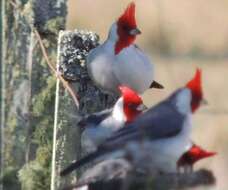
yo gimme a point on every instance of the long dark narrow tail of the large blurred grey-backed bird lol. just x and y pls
(77, 164)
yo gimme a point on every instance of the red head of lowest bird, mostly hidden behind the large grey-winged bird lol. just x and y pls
(191, 156)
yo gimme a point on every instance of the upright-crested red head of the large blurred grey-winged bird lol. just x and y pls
(196, 89)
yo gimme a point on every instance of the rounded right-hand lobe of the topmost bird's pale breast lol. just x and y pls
(134, 69)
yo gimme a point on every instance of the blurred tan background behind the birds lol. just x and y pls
(179, 35)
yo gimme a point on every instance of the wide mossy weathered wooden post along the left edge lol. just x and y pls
(29, 92)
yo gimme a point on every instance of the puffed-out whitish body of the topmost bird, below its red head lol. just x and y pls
(130, 67)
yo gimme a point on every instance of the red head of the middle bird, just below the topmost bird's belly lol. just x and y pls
(132, 103)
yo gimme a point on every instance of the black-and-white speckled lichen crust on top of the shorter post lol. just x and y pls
(75, 47)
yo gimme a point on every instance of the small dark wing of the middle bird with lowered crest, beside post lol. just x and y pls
(94, 119)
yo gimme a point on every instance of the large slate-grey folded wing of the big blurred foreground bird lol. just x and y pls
(161, 121)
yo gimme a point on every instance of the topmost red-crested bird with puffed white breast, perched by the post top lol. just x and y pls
(118, 61)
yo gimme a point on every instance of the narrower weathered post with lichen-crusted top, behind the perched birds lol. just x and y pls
(73, 49)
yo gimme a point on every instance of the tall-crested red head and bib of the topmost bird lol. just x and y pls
(126, 28)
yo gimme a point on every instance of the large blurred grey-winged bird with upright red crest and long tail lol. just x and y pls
(158, 137)
